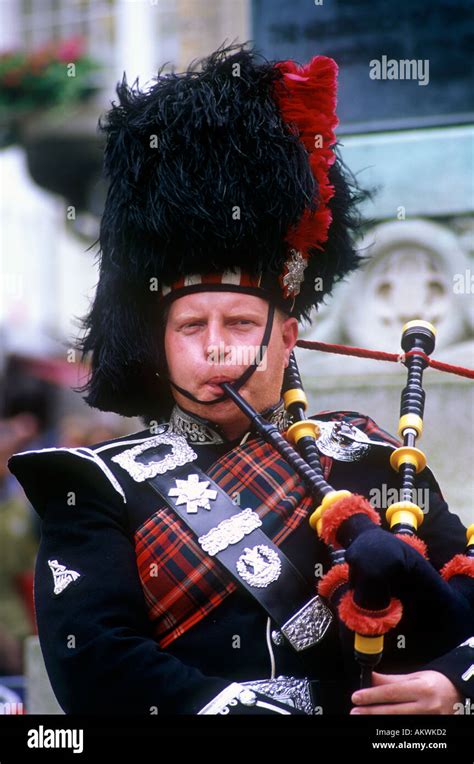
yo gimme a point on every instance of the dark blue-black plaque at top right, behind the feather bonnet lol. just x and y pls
(403, 64)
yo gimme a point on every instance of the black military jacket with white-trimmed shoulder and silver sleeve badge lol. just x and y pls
(94, 618)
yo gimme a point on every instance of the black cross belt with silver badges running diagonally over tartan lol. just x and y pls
(234, 538)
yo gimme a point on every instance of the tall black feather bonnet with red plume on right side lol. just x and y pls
(227, 167)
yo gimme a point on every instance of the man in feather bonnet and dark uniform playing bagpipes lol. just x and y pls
(177, 571)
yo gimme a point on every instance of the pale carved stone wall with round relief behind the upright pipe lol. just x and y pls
(417, 269)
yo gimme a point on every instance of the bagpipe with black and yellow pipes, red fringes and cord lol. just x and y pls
(376, 574)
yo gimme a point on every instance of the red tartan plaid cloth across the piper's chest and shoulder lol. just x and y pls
(181, 583)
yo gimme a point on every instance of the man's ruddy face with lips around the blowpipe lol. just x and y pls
(211, 337)
